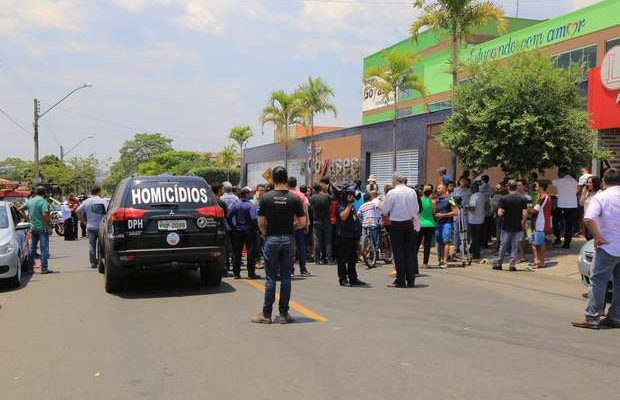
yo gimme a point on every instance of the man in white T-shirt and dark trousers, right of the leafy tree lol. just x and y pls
(566, 187)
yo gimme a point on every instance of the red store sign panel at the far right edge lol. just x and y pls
(603, 103)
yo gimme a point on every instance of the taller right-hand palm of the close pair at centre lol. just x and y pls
(315, 98)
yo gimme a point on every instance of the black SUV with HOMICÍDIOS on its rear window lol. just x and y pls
(161, 223)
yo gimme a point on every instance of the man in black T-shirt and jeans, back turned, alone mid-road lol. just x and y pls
(277, 223)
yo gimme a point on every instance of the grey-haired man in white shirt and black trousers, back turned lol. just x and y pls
(401, 205)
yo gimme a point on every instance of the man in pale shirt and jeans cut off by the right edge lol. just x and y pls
(603, 220)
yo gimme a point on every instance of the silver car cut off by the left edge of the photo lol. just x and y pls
(13, 244)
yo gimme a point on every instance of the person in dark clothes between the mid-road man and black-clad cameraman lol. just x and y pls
(322, 229)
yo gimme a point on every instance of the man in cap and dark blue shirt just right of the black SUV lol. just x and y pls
(242, 214)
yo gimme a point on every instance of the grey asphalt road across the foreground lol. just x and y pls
(463, 334)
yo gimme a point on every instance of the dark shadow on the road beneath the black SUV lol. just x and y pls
(169, 284)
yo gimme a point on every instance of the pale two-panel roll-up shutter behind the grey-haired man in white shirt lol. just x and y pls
(407, 163)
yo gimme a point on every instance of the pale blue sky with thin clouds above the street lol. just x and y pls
(190, 69)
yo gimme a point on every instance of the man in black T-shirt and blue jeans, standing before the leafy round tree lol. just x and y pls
(512, 210)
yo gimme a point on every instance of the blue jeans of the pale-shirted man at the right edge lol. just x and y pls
(604, 268)
